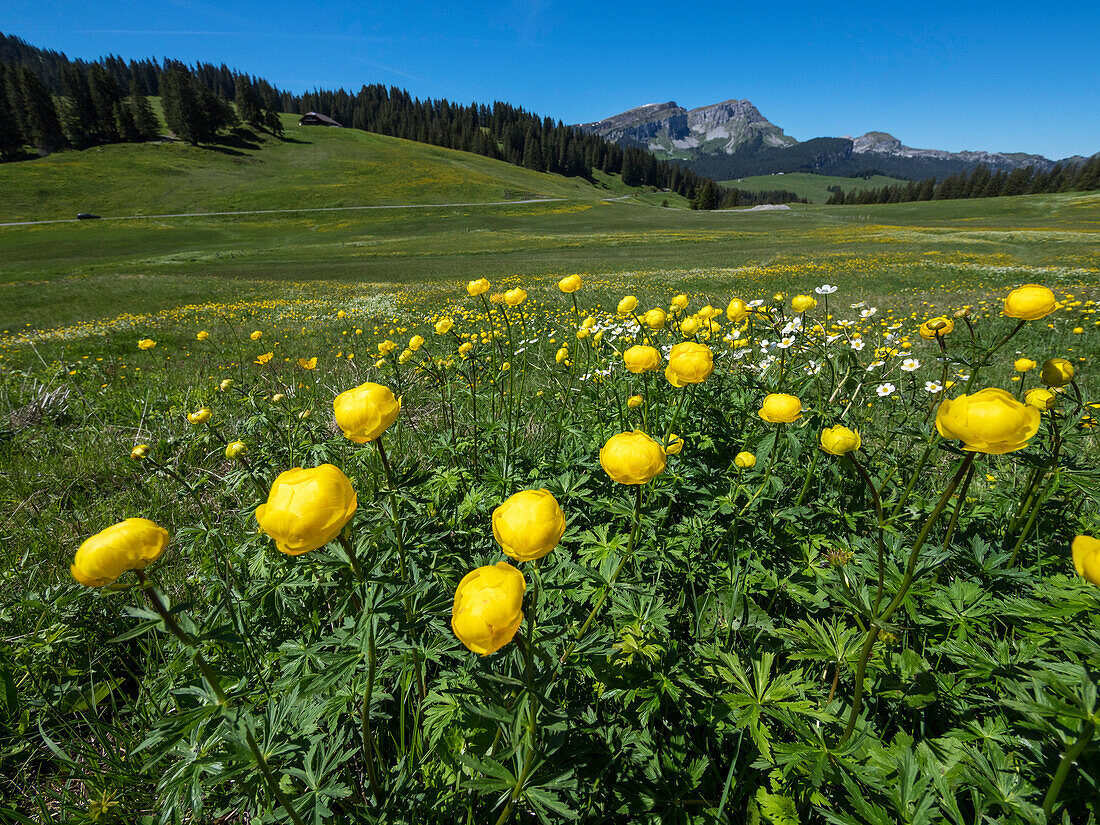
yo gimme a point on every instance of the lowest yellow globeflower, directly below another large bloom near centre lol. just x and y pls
(489, 608)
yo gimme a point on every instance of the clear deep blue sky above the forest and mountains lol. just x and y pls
(1008, 76)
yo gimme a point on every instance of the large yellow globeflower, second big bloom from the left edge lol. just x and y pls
(307, 509)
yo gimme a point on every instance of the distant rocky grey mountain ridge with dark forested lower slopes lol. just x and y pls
(733, 139)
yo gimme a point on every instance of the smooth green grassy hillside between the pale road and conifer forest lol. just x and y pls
(314, 167)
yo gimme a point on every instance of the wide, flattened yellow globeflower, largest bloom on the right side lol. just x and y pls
(989, 422)
